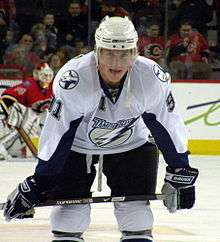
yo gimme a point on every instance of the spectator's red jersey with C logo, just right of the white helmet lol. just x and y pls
(152, 48)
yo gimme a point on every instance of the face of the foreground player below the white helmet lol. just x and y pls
(113, 64)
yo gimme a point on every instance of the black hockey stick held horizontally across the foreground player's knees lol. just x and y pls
(104, 199)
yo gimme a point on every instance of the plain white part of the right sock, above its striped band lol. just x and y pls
(133, 216)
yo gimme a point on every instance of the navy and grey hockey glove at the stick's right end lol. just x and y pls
(178, 188)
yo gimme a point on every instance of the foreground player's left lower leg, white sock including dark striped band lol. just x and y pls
(70, 222)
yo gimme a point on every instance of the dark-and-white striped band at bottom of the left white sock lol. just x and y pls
(59, 236)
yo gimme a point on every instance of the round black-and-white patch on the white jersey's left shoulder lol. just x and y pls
(69, 80)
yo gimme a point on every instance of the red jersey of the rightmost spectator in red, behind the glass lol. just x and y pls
(195, 44)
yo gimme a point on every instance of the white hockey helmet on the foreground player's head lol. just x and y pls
(116, 33)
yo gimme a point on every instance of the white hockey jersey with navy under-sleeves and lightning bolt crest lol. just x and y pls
(84, 119)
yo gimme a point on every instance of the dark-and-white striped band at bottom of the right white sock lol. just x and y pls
(137, 236)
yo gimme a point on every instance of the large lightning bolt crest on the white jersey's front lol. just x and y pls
(107, 135)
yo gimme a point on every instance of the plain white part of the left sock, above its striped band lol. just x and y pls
(71, 219)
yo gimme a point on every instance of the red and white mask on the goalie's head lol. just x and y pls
(44, 74)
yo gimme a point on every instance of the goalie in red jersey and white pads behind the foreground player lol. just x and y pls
(23, 106)
